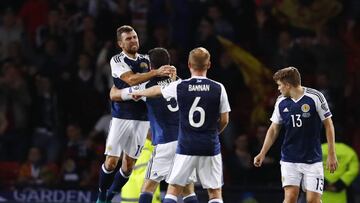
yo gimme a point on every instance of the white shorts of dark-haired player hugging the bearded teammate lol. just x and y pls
(161, 161)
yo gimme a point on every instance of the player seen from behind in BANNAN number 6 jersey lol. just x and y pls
(204, 113)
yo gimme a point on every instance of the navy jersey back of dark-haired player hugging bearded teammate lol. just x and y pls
(163, 115)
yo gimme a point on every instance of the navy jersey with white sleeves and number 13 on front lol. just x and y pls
(302, 123)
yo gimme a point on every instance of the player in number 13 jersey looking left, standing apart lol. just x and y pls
(301, 111)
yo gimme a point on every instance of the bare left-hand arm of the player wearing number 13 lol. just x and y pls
(271, 135)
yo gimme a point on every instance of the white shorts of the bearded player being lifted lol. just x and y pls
(126, 135)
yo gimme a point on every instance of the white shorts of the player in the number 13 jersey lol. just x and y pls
(309, 176)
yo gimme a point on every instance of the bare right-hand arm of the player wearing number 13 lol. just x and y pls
(331, 162)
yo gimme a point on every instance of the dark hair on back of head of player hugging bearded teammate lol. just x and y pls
(158, 57)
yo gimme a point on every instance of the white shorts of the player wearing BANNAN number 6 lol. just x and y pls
(208, 169)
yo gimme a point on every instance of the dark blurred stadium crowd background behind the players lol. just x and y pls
(55, 79)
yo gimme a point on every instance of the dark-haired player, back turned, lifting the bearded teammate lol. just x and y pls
(164, 121)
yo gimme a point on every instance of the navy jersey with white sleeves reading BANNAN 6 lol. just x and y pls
(200, 101)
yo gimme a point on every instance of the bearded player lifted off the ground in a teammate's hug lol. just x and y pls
(129, 125)
